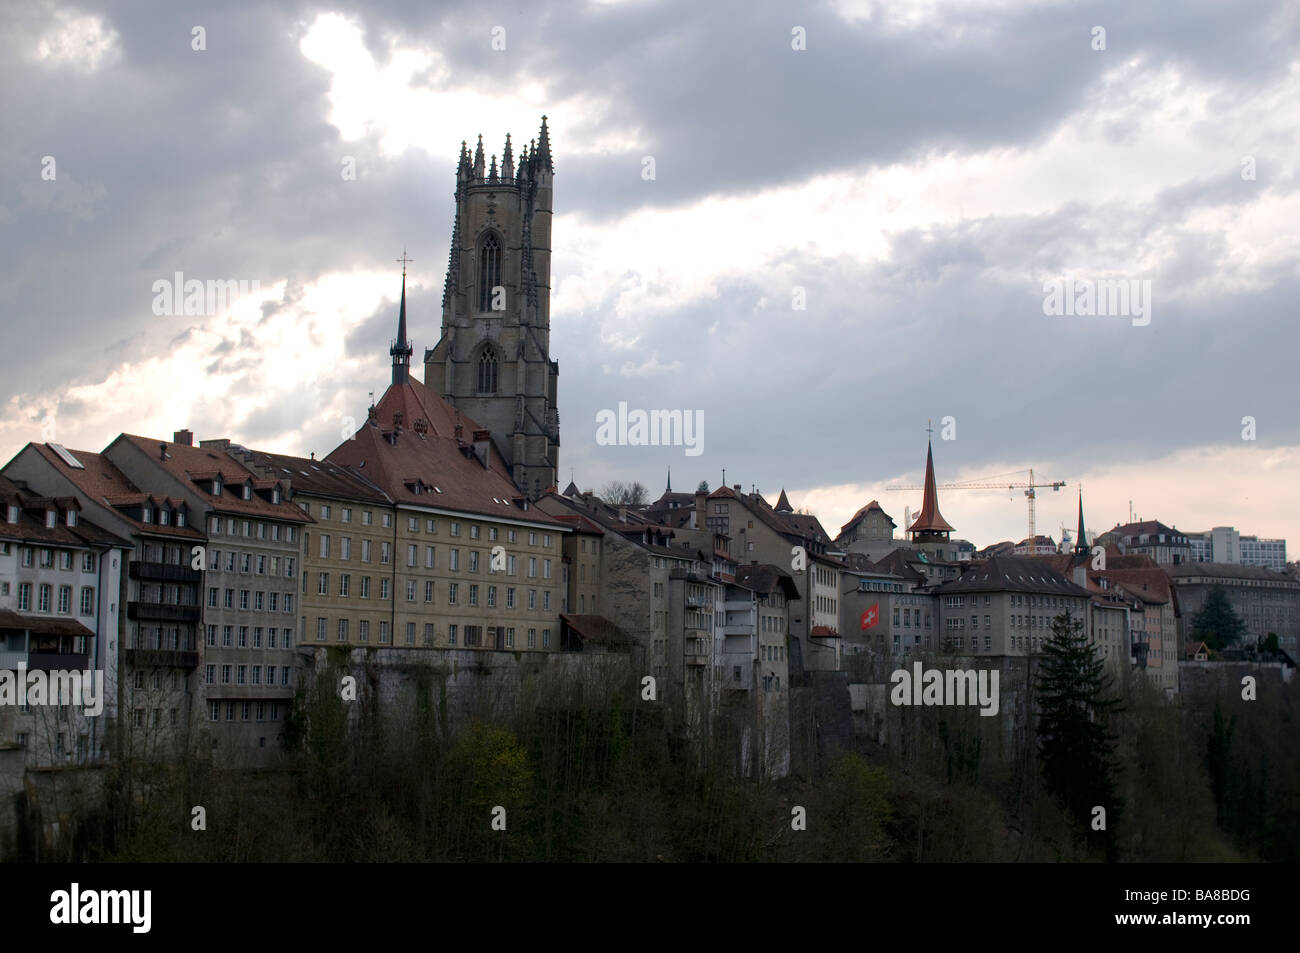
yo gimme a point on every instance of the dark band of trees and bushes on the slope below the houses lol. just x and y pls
(613, 785)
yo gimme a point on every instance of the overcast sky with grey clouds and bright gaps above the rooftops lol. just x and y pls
(918, 171)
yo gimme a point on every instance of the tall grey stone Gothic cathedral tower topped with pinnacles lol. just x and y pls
(493, 359)
